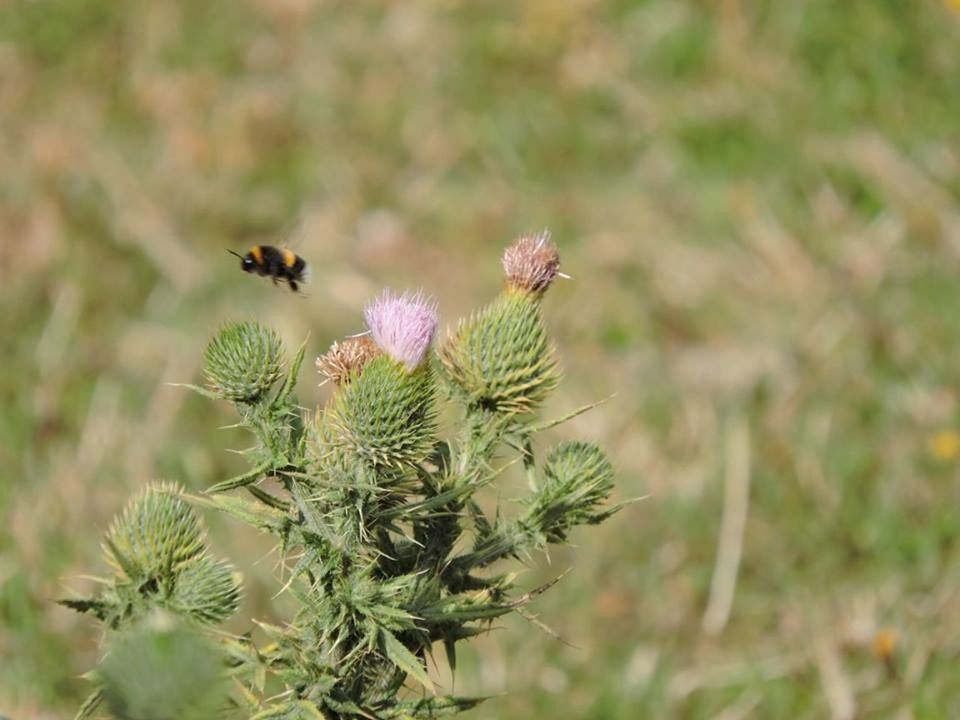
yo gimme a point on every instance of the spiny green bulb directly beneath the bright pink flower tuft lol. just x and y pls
(386, 415)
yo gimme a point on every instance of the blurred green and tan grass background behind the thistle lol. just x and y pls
(759, 203)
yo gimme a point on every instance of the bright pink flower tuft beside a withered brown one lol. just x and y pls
(402, 325)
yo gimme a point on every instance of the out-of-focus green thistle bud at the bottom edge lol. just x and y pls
(163, 671)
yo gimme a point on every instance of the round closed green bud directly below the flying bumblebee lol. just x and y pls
(243, 361)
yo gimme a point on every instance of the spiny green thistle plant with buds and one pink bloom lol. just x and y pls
(384, 543)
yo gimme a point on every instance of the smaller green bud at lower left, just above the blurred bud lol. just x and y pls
(206, 590)
